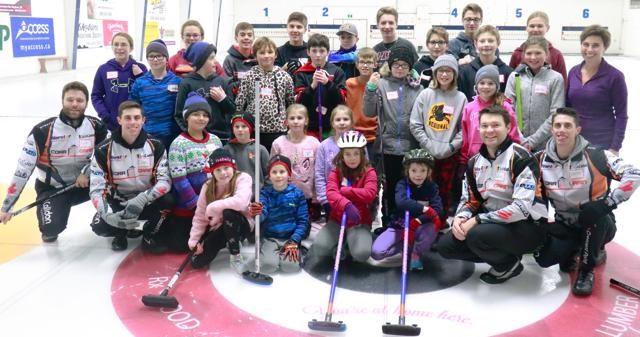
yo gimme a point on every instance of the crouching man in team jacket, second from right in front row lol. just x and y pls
(501, 206)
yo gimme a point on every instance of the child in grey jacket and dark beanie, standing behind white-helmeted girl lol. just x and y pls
(391, 99)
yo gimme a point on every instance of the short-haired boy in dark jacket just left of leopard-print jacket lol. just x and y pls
(239, 56)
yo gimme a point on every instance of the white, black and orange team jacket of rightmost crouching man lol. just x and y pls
(582, 177)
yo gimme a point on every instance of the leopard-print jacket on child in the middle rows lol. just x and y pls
(276, 94)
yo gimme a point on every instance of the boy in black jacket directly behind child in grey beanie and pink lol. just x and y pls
(487, 41)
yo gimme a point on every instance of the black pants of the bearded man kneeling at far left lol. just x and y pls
(53, 213)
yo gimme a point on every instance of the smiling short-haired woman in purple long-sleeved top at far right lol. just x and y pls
(598, 91)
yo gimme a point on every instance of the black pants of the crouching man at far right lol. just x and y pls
(564, 242)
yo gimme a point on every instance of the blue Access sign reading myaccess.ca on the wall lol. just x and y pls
(32, 36)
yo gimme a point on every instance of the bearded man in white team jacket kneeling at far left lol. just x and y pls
(60, 148)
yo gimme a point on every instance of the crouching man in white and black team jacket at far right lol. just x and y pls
(576, 178)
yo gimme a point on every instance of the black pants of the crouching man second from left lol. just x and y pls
(153, 213)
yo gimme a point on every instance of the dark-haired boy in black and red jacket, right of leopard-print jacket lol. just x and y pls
(316, 75)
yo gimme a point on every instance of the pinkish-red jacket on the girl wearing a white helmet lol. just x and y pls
(361, 193)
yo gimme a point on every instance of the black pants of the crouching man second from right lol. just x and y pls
(499, 245)
